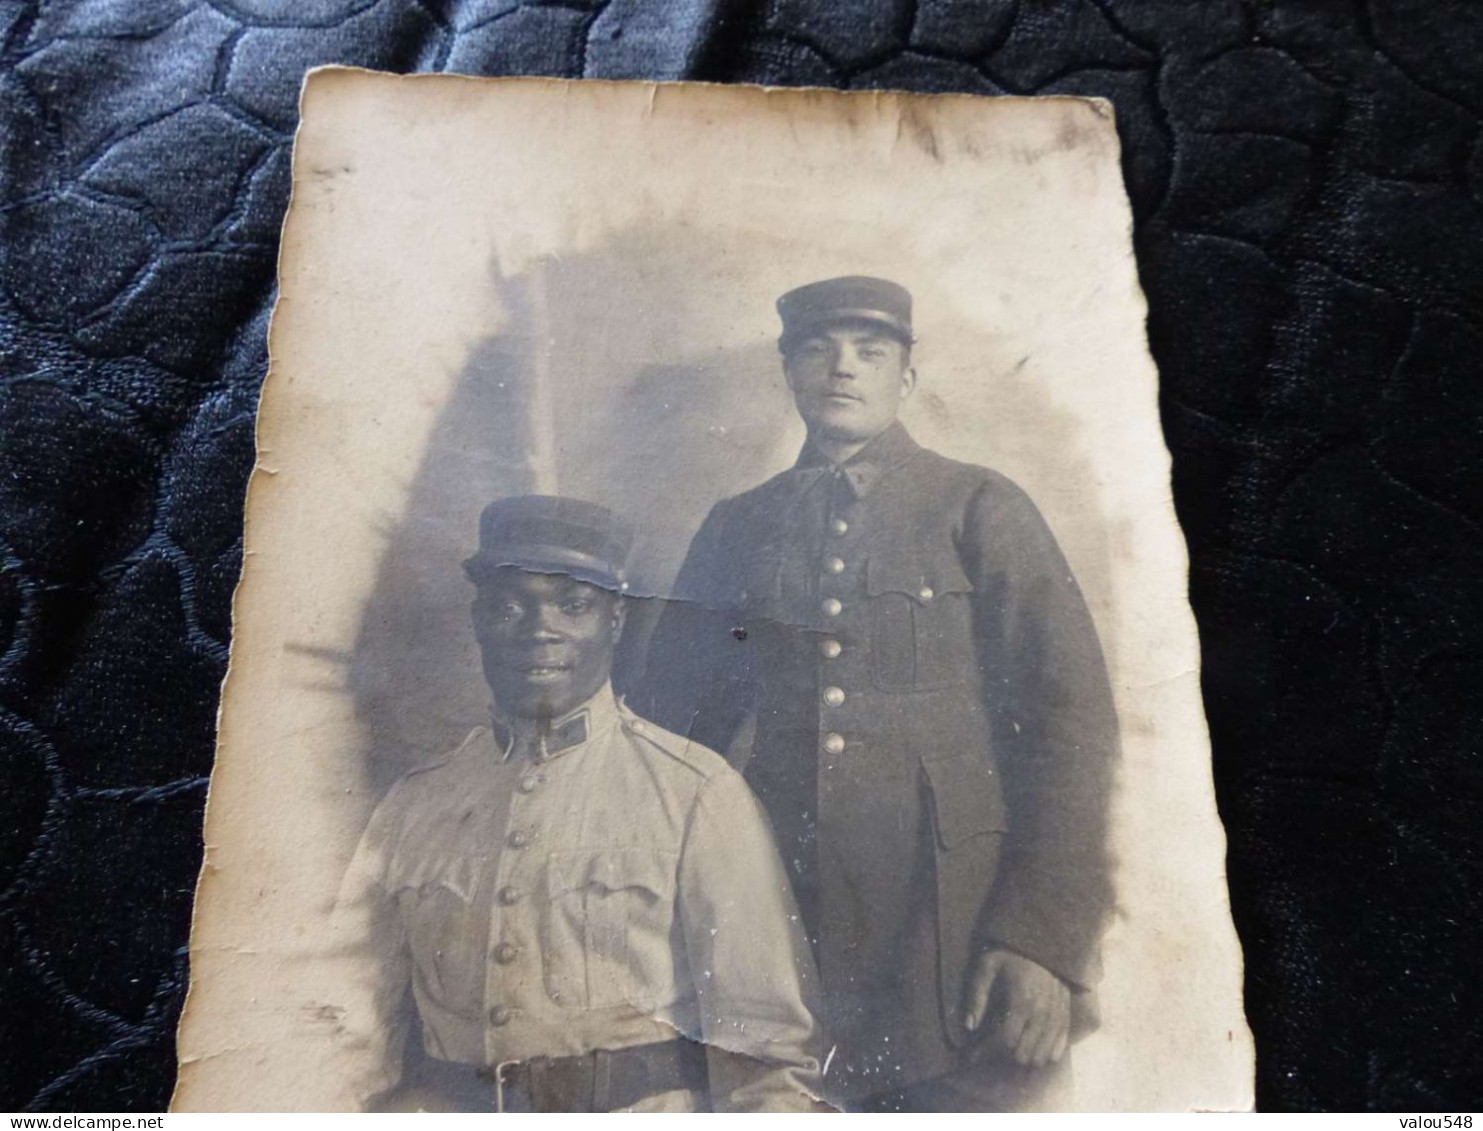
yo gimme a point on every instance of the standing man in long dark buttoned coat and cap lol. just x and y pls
(932, 729)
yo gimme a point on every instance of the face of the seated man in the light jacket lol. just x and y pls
(546, 641)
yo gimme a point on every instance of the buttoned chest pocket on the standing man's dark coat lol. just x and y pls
(922, 620)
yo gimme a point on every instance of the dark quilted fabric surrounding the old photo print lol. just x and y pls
(1307, 179)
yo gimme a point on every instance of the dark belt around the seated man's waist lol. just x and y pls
(607, 1080)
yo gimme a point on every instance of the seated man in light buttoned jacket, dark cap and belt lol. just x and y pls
(576, 898)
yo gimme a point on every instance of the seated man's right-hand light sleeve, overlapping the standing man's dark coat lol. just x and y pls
(753, 966)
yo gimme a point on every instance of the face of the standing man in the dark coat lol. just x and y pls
(849, 382)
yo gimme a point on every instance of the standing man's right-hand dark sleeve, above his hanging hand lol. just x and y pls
(1057, 736)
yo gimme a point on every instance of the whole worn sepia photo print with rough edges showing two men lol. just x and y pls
(714, 631)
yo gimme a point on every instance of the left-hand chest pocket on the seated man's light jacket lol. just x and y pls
(446, 930)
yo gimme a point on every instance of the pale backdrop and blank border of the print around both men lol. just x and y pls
(502, 287)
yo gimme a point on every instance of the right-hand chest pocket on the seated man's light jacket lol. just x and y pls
(607, 929)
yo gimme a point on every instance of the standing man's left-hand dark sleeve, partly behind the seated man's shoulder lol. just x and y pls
(698, 681)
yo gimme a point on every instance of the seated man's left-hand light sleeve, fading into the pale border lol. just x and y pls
(371, 967)
